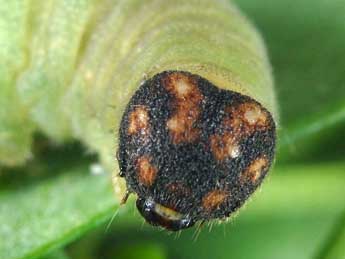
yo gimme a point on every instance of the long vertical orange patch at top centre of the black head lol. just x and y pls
(186, 105)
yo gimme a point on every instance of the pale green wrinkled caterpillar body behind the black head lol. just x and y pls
(69, 67)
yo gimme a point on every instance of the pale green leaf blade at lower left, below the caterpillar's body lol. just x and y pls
(58, 201)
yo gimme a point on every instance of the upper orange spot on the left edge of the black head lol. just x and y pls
(139, 121)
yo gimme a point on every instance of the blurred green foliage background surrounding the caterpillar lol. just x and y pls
(57, 209)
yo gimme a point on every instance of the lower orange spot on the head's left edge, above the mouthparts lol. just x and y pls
(147, 172)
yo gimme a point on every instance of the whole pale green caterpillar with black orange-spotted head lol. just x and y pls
(182, 90)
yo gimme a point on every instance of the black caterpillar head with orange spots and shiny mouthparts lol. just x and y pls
(191, 151)
